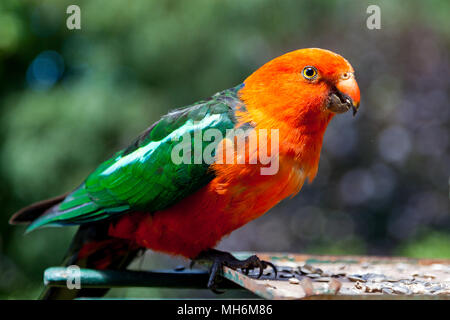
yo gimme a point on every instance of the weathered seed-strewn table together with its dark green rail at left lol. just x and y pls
(299, 277)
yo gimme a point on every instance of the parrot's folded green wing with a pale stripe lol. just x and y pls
(143, 176)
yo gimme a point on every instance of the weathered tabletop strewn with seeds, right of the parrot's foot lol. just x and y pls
(347, 277)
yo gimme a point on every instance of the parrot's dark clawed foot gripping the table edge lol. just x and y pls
(220, 259)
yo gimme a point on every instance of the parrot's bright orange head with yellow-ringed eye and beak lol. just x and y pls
(300, 86)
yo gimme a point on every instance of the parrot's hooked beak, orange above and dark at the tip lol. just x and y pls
(345, 97)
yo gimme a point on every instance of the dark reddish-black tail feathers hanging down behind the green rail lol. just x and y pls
(92, 248)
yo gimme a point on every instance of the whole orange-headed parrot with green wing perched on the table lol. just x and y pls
(141, 199)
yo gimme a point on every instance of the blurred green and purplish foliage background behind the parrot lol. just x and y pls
(69, 99)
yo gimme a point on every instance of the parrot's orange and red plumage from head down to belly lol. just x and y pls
(280, 96)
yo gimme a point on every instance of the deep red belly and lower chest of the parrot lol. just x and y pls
(199, 221)
